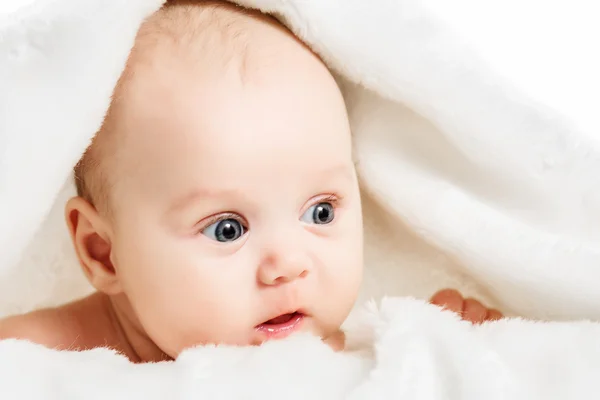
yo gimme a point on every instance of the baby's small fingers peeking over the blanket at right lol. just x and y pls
(469, 309)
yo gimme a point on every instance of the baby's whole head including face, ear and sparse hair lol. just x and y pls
(220, 192)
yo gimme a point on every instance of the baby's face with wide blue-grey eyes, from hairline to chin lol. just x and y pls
(236, 202)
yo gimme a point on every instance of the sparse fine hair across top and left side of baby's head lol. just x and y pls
(214, 35)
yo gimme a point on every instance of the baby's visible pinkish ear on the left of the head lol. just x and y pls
(91, 238)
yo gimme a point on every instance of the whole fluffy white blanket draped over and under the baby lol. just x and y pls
(478, 144)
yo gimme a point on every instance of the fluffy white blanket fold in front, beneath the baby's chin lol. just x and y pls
(419, 353)
